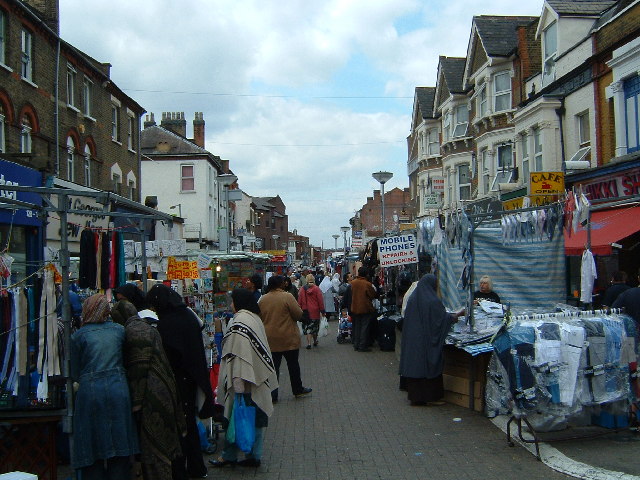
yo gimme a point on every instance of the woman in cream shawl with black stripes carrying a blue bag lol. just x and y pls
(246, 368)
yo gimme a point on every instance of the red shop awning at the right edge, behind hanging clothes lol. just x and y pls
(607, 227)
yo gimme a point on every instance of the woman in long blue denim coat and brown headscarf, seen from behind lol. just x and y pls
(102, 398)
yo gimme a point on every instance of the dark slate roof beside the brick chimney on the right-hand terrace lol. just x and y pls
(498, 33)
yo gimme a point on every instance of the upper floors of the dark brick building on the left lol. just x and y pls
(78, 127)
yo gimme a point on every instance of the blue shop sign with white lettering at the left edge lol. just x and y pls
(13, 174)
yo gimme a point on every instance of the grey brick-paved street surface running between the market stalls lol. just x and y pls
(358, 425)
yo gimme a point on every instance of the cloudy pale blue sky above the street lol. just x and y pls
(305, 99)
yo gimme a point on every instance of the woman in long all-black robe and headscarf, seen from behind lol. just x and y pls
(182, 342)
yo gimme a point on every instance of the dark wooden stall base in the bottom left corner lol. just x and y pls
(28, 442)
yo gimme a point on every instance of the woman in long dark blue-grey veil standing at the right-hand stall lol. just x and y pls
(424, 329)
